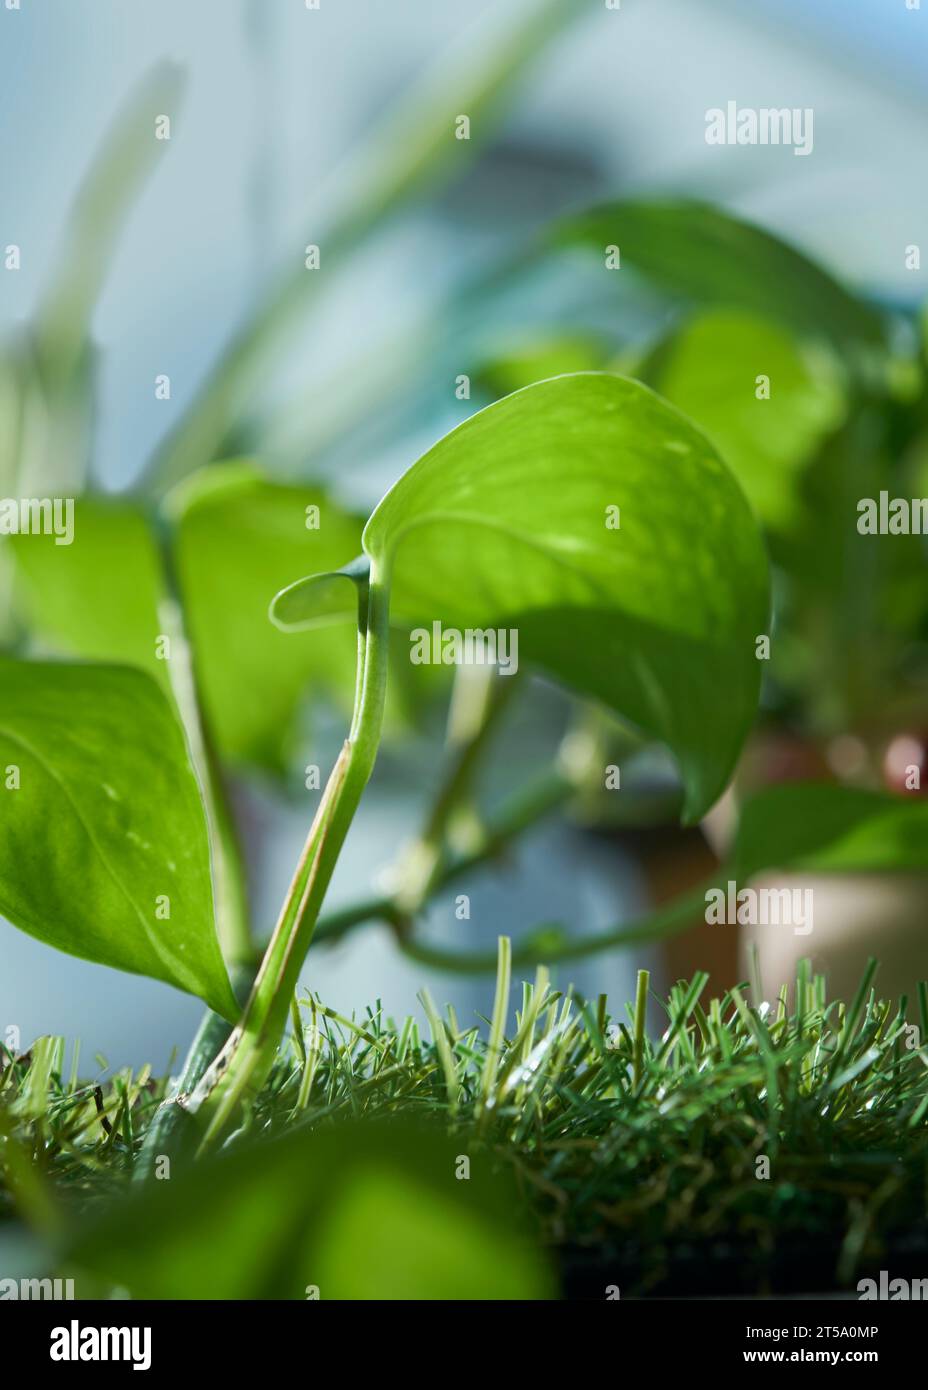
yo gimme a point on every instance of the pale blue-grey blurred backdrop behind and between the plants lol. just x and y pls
(277, 99)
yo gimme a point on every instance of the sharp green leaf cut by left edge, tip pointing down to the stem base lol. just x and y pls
(103, 843)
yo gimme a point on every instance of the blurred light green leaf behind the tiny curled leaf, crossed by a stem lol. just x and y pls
(238, 540)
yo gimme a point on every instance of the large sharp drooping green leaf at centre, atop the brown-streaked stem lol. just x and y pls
(599, 526)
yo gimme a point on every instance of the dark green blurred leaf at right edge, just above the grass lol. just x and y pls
(823, 828)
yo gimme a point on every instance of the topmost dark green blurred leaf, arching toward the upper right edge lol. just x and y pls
(709, 256)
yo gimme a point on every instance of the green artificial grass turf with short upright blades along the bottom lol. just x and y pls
(744, 1149)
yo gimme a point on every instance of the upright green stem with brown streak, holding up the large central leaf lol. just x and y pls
(244, 1065)
